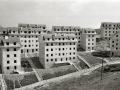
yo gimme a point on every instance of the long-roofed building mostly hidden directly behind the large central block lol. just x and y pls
(76, 30)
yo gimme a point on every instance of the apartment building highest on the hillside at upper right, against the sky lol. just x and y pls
(108, 29)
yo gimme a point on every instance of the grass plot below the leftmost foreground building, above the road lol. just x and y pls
(16, 81)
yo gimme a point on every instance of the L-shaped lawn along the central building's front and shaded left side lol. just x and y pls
(56, 71)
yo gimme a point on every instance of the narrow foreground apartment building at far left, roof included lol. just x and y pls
(10, 59)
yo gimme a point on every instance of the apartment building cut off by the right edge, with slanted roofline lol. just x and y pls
(115, 44)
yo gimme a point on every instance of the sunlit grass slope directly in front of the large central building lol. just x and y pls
(56, 72)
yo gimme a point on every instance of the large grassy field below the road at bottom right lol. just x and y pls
(110, 81)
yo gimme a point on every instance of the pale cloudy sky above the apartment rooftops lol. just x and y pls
(83, 13)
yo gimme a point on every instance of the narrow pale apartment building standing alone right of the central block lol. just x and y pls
(88, 37)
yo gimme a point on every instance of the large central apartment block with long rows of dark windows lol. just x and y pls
(57, 49)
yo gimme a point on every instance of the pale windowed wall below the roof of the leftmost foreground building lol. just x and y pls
(11, 59)
